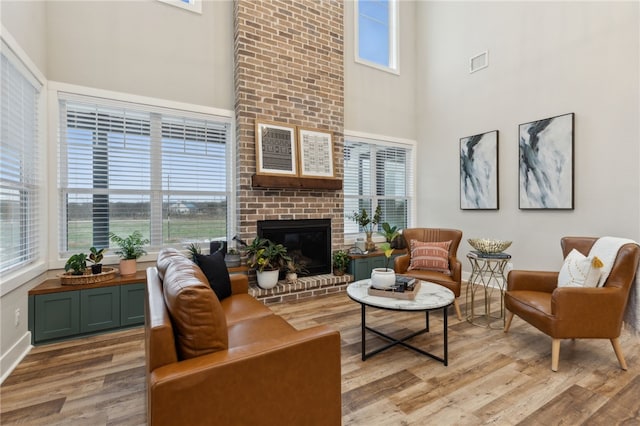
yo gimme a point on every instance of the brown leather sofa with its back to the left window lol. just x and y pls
(232, 362)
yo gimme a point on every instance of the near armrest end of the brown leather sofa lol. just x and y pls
(293, 379)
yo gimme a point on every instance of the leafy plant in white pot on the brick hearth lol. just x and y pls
(266, 258)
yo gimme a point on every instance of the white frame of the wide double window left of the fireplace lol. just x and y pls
(153, 105)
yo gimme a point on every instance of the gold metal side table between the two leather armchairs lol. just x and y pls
(487, 275)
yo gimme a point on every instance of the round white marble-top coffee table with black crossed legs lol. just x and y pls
(430, 297)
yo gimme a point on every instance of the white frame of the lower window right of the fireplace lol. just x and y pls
(384, 142)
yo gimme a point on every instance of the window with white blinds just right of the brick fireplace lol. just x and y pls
(377, 174)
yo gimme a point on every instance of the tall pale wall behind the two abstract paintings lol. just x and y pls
(546, 59)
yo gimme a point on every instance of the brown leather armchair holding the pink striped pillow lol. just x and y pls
(453, 281)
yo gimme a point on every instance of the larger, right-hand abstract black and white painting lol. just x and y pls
(546, 163)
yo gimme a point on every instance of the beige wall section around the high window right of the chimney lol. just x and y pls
(377, 102)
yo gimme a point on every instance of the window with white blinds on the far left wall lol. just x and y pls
(20, 181)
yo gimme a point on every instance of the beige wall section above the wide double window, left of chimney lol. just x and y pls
(146, 48)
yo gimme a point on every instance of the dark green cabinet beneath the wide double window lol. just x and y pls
(72, 312)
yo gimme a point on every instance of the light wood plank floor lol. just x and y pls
(492, 377)
